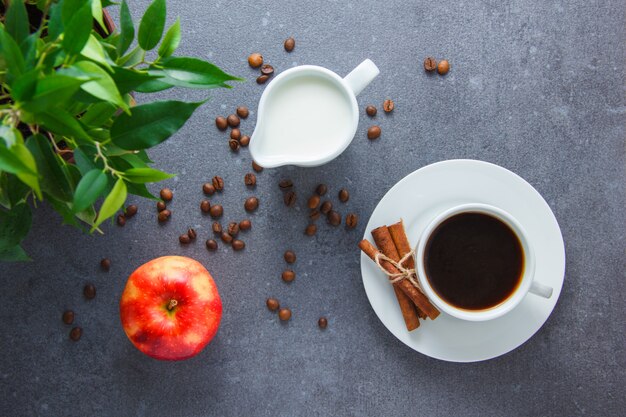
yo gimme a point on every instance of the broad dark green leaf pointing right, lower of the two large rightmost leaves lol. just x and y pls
(150, 124)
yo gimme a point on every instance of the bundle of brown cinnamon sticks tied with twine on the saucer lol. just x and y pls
(393, 242)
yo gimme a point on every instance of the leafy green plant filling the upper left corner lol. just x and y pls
(68, 131)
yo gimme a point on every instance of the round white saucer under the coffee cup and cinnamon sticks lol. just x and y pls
(417, 198)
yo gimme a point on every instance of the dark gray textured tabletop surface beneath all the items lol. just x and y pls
(537, 87)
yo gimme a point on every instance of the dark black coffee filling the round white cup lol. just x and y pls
(474, 261)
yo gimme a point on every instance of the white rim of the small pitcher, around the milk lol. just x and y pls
(280, 160)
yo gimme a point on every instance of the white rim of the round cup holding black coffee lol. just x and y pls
(505, 306)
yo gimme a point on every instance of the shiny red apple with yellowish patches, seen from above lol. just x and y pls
(170, 308)
